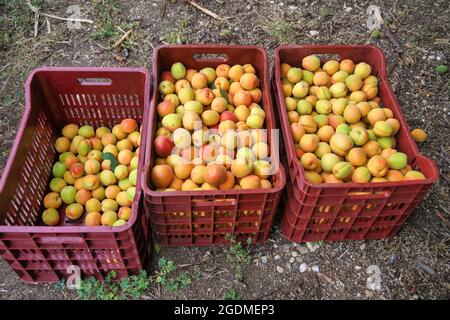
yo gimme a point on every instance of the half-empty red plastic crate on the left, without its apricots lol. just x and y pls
(55, 97)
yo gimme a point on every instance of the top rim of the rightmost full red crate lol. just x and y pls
(277, 94)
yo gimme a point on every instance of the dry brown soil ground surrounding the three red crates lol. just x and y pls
(412, 265)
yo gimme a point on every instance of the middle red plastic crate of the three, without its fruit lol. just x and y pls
(191, 218)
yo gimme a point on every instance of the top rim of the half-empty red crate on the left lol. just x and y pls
(19, 135)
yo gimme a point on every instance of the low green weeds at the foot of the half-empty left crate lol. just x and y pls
(129, 288)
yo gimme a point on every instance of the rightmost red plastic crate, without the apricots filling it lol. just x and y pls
(345, 211)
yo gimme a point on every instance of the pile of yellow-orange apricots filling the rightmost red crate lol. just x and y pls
(341, 131)
